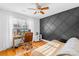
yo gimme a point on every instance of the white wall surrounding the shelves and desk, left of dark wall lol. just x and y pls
(6, 40)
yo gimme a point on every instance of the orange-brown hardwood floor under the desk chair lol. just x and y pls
(22, 52)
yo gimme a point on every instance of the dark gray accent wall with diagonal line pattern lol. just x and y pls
(61, 26)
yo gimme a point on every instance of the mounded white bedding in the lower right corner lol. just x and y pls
(70, 48)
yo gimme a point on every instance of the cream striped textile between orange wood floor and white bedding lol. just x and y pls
(48, 49)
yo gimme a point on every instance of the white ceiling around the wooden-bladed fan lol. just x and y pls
(23, 8)
